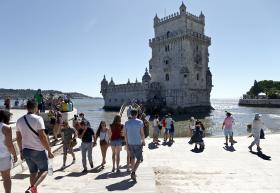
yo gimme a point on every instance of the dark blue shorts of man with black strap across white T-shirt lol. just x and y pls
(36, 160)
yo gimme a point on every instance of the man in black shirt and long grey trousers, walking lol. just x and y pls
(87, 135)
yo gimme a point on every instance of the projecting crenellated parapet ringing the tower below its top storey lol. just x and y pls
(174, 35)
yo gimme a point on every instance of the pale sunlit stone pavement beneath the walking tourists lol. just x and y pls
(174, 169)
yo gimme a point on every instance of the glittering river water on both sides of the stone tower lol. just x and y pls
(243, 115)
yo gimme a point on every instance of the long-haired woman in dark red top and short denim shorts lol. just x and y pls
(116, 129)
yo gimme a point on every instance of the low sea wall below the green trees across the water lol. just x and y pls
(273, 103)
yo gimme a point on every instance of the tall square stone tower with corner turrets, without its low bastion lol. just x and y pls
(180, 59)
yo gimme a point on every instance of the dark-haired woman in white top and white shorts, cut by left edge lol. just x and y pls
(6, 149)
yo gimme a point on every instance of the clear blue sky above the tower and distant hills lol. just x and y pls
(69, 45)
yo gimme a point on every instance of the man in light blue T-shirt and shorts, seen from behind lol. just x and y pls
(135, 140)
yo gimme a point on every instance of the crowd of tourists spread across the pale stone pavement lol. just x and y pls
(35, 148)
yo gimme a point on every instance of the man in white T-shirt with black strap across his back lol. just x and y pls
(33, 144)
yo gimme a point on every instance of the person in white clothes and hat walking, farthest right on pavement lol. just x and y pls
(256, 130)
